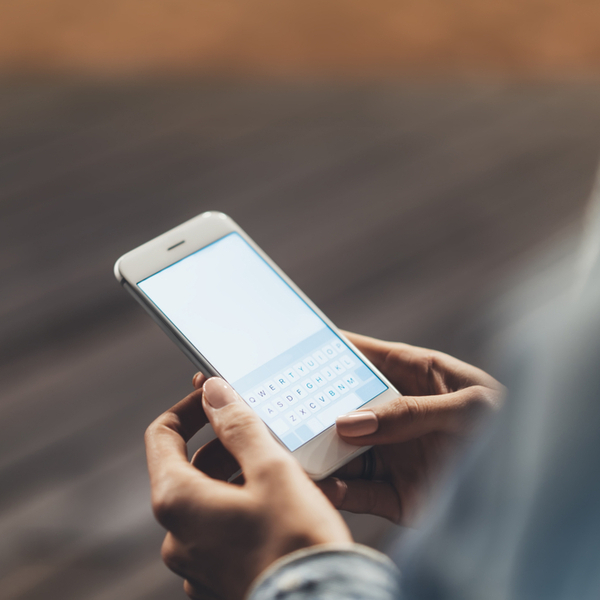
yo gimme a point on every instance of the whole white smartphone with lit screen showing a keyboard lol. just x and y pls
(236, 315)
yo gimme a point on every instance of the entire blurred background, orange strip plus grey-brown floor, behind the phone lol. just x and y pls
(417, 167)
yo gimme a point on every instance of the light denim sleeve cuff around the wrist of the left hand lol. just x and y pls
(350, 572)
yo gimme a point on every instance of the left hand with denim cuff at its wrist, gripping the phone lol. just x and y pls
(220, 535)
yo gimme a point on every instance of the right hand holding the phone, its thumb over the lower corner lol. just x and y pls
(413, 436)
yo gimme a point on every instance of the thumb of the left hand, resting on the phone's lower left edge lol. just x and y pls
(239, 428)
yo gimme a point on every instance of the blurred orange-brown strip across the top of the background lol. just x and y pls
(548, 40)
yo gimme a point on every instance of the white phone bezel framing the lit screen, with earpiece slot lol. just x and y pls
(320, 456)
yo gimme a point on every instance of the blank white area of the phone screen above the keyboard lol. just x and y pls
(232, 306)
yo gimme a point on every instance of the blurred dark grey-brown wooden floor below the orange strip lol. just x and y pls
(401, 210)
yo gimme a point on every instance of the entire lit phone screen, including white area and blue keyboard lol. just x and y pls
(255, 330)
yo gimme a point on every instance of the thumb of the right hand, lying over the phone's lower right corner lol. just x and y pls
(409, 417)
